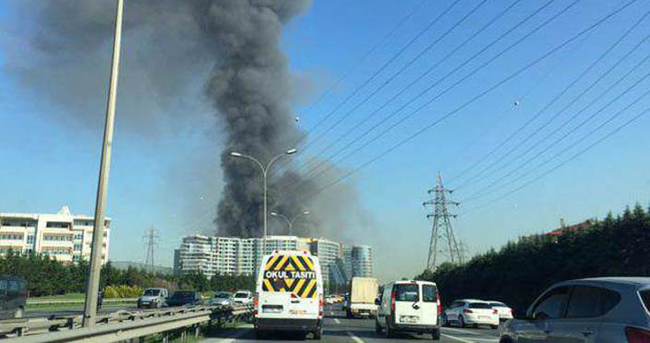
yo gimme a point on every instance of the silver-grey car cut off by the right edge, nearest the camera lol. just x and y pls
(608, 309)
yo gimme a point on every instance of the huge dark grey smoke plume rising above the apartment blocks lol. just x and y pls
(184, 61)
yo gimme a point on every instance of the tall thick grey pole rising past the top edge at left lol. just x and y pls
(96, 257)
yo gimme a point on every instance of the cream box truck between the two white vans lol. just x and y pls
(363, 292)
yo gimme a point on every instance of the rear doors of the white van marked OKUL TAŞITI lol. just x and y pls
(289, 287)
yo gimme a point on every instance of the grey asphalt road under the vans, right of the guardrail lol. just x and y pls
(340, 329)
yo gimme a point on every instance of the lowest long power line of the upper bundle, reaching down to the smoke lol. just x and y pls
(478, 96)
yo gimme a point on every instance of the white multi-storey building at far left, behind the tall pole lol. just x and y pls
(64, 236)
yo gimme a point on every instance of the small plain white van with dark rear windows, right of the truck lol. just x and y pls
(409, 306)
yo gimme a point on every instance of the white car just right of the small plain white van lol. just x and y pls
(471, 312)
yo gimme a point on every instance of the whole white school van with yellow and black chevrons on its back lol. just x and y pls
(289, 294)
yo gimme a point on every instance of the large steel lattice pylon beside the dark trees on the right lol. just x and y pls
(442, 231)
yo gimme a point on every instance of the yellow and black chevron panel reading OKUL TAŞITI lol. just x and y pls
(294, 274)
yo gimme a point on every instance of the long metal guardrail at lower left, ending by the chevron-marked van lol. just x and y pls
(121, 325)
